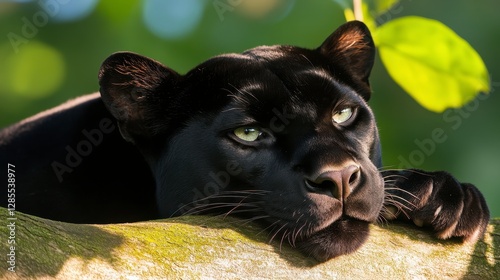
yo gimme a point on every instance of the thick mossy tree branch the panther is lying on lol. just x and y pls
(201, 247)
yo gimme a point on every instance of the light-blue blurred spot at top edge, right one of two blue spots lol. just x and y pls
(172, 19)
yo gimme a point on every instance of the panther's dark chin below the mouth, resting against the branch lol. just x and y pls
(342, 237)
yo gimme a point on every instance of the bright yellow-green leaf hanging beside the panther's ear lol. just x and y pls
(432, 63)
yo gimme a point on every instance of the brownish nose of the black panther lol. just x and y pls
(336, 183)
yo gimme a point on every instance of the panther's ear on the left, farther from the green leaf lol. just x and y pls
(133, 88)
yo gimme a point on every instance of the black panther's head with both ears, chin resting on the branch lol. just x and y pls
(280, 134)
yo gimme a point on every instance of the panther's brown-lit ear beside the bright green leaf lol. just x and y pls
(352, 45)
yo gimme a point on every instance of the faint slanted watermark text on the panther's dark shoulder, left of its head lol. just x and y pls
(75, 155)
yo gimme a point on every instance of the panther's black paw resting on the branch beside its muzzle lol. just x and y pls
(436, 200)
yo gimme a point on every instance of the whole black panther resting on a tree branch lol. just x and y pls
(279, 135)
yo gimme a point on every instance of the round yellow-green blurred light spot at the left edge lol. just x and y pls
(36, 71)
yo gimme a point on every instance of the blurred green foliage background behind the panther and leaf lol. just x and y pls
(48, 56)
